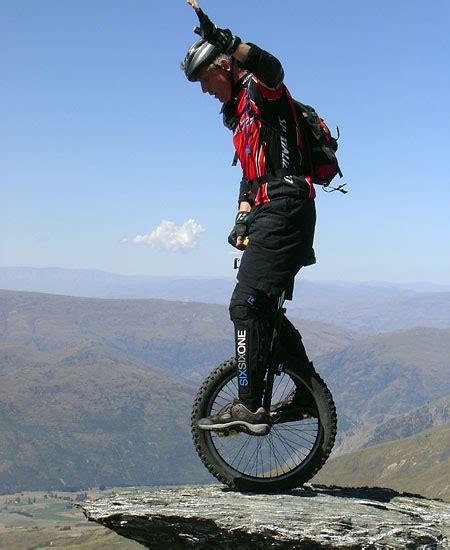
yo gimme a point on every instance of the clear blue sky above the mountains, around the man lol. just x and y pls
(103, 138)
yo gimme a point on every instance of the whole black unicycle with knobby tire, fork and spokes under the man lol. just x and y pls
(297, 444)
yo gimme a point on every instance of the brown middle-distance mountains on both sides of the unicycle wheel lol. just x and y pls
(99, 391)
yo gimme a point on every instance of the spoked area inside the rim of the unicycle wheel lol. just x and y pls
(287, 447)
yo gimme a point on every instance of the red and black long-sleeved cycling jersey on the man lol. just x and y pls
(265, 136)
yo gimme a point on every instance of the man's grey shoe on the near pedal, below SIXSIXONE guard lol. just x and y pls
(236, 415)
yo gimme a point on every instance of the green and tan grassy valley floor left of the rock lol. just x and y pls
(34, 520)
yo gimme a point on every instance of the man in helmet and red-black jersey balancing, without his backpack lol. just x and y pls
(276, 208)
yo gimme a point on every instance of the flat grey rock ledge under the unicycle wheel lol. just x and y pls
(211, 516)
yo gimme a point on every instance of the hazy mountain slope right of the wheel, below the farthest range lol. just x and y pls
(380, 375)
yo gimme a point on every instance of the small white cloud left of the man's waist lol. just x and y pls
(169, 236)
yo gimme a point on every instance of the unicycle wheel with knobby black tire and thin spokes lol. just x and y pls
(255, 467)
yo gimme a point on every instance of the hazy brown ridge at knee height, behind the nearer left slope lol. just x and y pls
(186, 339)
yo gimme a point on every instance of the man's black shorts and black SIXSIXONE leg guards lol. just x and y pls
(281, 236)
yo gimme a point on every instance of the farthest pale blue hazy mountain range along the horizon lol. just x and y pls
(372, 307)
